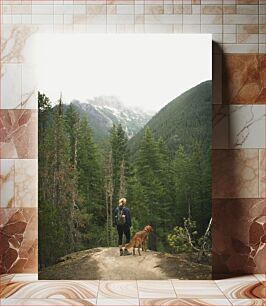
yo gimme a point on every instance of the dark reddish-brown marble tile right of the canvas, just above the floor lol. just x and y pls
(239, 236)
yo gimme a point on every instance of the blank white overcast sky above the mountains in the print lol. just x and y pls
(142, 70)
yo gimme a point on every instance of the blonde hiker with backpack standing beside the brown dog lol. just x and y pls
(123, 223)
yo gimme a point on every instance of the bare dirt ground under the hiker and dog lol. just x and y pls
(105, 263)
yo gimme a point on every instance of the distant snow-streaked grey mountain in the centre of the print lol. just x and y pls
(104, 111)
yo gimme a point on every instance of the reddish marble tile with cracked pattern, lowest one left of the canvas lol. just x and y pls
(18, 235)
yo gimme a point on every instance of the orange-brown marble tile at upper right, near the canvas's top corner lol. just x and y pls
(243, 79)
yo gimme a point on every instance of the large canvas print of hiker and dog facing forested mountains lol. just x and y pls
(124, 156)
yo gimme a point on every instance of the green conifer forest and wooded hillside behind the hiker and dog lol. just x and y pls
(166, 179)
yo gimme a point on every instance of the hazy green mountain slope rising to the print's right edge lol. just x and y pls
(186, 118)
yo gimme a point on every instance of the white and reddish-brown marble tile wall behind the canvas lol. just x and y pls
(238, 28)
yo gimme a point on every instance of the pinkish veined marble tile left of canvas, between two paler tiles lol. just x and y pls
(18, 134)
